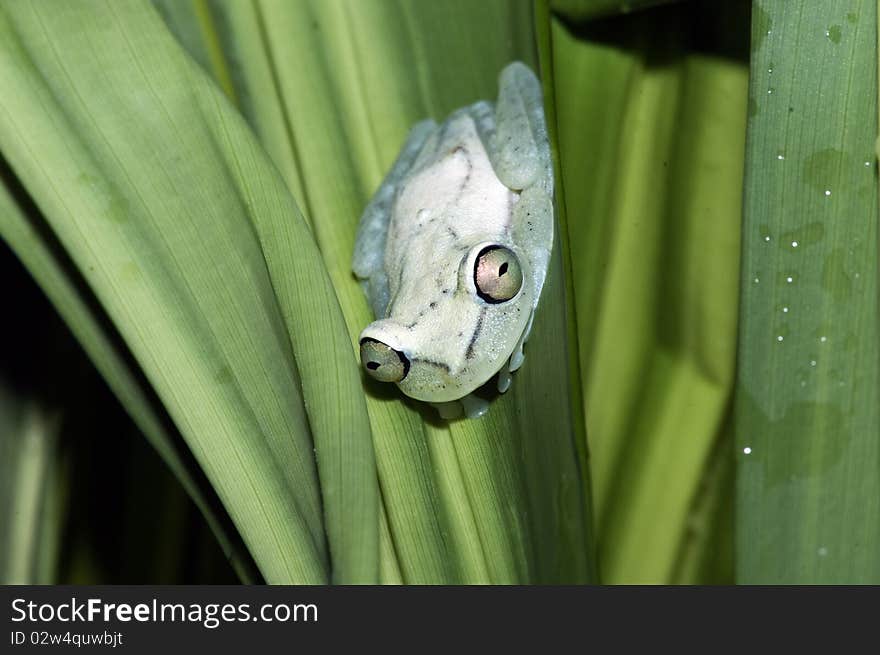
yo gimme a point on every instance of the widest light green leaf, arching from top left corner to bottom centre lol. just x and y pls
(141, 162)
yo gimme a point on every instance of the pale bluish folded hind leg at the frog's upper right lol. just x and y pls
(516, 133)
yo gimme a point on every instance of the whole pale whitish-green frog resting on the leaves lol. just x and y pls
(453, 248)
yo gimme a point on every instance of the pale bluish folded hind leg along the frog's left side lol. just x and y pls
(369, 249)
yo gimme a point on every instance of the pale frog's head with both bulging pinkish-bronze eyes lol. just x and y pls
(462, 331)
